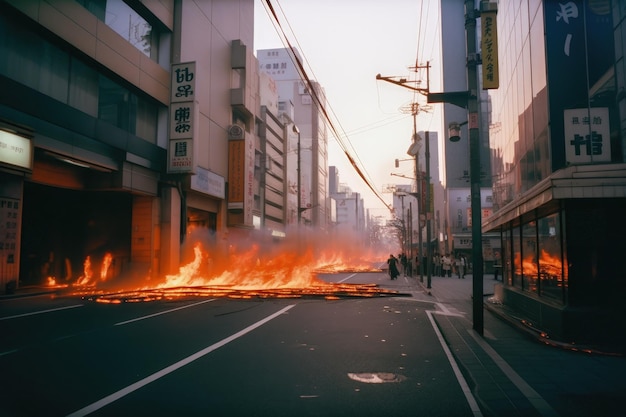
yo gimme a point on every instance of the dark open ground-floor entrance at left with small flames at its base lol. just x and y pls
(62, 229)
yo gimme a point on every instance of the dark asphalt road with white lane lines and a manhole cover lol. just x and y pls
(381, 356)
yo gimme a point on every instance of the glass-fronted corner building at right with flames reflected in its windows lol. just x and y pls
(559, 174)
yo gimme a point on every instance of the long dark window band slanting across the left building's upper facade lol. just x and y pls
(42, 65)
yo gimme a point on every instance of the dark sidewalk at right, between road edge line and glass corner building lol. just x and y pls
(512, 372)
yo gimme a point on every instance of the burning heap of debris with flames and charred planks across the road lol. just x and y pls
(283, 271)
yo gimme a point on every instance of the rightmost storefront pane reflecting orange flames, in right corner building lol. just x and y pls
(552, 284)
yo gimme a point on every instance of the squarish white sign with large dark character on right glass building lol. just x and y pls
(587, 135)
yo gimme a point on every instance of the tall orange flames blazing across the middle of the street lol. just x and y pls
(276, 268)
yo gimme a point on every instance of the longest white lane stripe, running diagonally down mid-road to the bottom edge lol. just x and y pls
(165, 371)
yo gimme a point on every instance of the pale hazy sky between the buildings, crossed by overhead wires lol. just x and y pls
(344, 44)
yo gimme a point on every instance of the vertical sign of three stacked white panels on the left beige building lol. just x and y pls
(182, 119)
